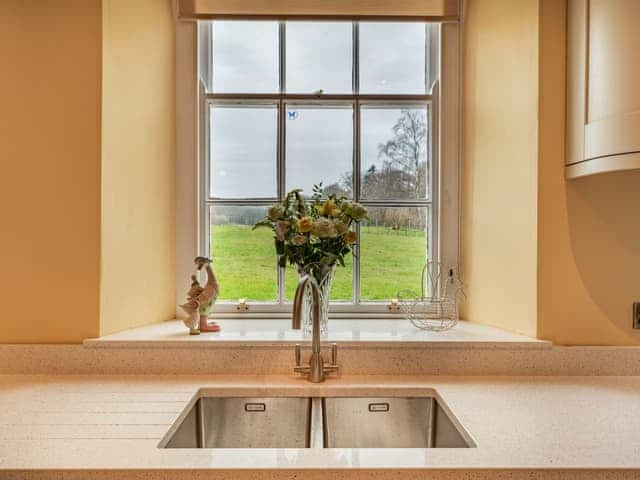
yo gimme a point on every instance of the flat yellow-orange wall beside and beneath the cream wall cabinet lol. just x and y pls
(589, 229)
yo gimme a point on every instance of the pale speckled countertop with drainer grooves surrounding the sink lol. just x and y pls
(93, 423)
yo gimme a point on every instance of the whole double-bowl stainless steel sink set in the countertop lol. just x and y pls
(328, 422)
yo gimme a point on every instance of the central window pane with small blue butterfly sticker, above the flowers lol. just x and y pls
(319, 148)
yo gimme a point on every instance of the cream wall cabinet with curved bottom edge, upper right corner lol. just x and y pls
(603, 86)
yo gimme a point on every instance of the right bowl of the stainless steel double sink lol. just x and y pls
(389, 423)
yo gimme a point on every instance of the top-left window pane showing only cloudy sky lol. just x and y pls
(245, 57)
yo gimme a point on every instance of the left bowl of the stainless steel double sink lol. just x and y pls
(244, 423)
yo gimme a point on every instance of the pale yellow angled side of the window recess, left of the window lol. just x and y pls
(138, 164)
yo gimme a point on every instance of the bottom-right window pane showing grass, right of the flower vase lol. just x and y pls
(393, 251)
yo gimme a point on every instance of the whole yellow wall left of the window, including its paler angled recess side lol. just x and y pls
(72, 99)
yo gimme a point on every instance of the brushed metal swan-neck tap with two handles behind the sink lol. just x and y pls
(317, 370)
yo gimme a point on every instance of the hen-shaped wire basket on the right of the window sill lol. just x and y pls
(436, 308)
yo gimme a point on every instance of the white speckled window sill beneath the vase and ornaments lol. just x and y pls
(354, 333)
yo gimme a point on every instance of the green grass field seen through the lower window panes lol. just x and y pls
(244, 262)
